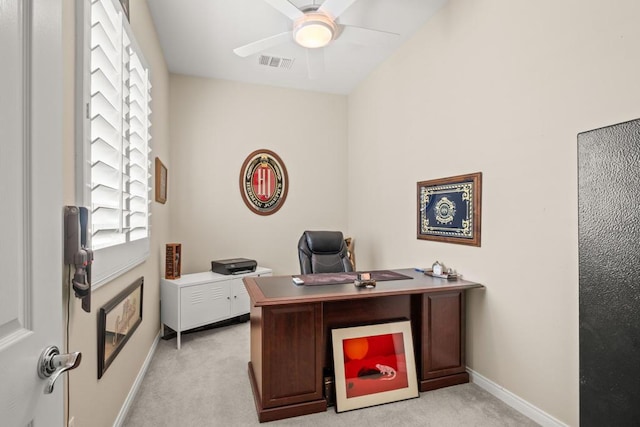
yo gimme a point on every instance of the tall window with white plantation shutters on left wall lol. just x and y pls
(113, 139)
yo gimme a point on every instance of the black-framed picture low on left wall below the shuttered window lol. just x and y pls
(117, 321)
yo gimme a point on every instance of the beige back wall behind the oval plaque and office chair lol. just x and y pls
(214, 126)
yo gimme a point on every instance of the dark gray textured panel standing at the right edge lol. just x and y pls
(609, 260)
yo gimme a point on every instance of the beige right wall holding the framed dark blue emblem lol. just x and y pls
(501, 87)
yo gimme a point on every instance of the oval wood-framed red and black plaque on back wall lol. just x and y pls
(264, 182)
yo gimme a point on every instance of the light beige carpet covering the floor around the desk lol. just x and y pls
(206, 384)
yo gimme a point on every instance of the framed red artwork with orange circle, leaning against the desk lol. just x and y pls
(373, 364)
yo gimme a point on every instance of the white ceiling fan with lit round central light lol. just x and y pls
(314, 27)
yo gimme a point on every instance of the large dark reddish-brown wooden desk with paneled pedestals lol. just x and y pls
(291, 332)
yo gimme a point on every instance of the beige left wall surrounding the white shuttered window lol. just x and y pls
(94, 402)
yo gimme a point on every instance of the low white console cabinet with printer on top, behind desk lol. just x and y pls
(199, 299)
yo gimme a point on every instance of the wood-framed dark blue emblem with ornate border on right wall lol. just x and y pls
(449, 209)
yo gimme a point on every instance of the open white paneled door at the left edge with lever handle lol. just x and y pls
(30, 208)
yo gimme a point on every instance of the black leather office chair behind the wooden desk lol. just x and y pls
(323, 252)
